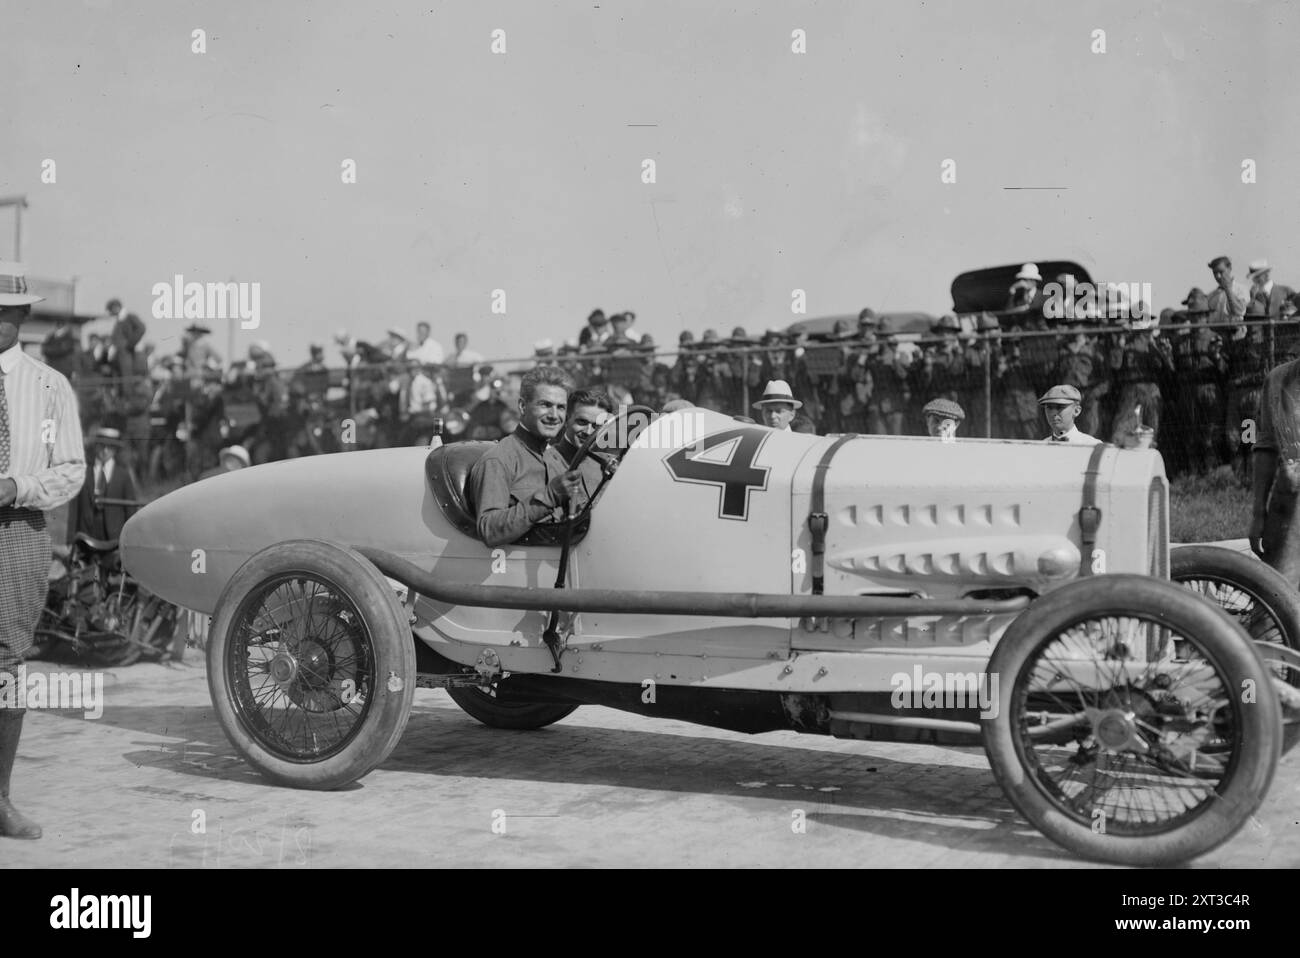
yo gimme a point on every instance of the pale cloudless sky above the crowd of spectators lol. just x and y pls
(523, 171)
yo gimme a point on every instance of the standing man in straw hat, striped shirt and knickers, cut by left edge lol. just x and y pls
(42, 466)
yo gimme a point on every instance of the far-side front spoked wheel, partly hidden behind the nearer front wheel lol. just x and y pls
(1258, 597)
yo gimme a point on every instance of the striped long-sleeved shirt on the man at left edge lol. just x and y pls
(47, 460)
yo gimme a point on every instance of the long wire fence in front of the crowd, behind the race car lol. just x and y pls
(1191, 385)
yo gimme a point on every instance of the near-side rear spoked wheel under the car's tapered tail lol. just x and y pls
(311, 665)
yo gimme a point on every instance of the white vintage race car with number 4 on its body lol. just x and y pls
(740, 578)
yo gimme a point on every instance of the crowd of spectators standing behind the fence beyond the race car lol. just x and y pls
(1189, 378)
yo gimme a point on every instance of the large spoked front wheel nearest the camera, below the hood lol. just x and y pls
(1136, 725)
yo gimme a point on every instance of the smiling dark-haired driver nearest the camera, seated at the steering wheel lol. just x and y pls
(523, 483)
